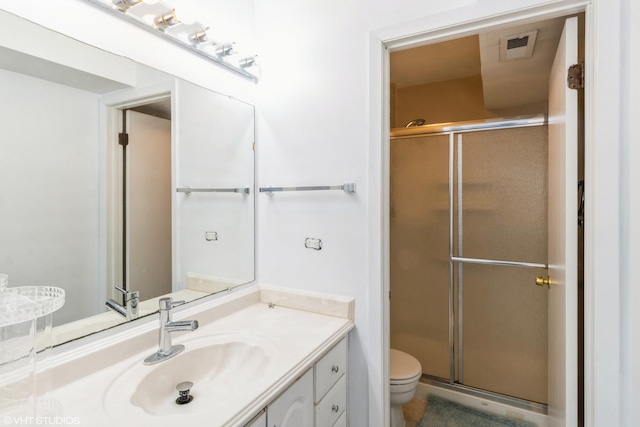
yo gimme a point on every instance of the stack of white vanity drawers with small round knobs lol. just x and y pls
(330, 393)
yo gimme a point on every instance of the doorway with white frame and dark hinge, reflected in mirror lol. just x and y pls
(140, 182)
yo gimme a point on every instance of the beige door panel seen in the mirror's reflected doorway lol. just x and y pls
(148, 219)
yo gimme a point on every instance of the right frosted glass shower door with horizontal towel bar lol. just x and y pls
(500, 197)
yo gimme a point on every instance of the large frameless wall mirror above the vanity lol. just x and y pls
(63, 179)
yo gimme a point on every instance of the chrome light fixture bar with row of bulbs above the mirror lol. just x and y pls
(162, 19)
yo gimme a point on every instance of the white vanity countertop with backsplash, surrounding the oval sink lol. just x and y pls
(95, 383)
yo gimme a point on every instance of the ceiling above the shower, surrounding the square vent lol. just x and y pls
(505, 84)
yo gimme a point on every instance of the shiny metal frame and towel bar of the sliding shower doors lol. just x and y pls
(456, 377)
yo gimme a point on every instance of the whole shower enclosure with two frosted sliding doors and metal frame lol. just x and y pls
(468, 222)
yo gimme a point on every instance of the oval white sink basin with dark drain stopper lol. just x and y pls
(220, 367)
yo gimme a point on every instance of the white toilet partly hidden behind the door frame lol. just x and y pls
(404, 375)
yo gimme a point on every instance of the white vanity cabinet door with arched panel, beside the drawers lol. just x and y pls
(294, 407)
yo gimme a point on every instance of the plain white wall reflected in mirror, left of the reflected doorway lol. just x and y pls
(49, 190)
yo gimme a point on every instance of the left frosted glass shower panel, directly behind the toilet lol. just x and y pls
(420, 250)
